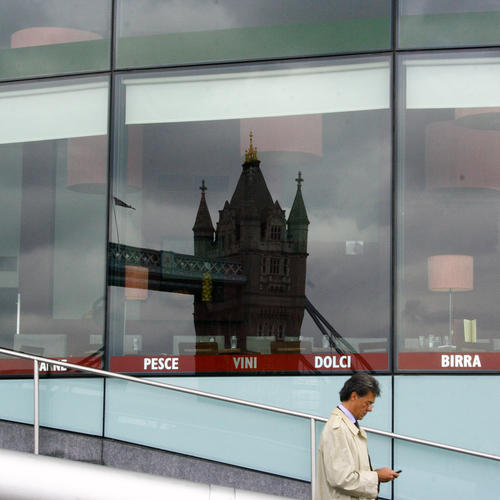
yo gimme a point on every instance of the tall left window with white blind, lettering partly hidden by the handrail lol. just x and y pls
(53, 171)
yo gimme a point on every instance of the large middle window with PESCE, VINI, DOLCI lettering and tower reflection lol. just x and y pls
(250, 219)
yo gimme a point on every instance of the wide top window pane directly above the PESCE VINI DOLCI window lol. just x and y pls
(159, 32)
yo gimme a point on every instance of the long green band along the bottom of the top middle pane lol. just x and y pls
(350, 35)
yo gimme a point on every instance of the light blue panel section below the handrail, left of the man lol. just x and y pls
(209, 429)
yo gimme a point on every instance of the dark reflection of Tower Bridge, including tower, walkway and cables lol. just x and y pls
(253, 262)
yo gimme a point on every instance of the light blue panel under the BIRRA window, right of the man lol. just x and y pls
(455, 410)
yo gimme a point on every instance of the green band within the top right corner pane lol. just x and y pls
(443, 30)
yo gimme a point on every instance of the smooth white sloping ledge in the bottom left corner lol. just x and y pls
(36, 477)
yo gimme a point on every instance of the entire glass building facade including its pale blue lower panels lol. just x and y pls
(255, 198)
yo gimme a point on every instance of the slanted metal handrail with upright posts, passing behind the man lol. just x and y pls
(312, 418)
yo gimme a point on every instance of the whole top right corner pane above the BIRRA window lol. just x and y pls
(445, 23)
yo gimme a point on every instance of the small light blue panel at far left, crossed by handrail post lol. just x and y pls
(69, 404)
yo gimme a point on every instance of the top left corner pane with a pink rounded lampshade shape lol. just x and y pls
(46, 37)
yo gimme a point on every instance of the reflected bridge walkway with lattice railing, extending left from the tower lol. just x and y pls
(170, 271)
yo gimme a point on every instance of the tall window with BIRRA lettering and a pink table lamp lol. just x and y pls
(448, 209)
